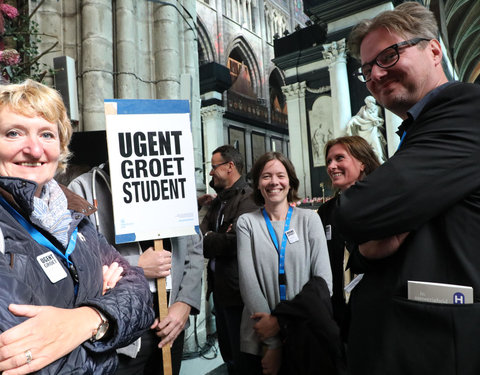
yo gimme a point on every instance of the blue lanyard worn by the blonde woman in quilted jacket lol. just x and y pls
(42, 240)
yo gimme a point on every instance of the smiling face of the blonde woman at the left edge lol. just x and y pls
(29, 147)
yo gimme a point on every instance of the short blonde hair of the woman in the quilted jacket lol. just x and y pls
(31, 98)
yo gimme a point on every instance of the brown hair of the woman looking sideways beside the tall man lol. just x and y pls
(359, 148)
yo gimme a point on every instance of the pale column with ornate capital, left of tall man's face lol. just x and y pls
(336, 56)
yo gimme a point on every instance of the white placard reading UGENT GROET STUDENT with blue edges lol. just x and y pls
(150, 153)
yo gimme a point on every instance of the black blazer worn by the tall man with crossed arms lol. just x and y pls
(430, 188)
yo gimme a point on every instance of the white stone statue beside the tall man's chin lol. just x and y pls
(368, 124)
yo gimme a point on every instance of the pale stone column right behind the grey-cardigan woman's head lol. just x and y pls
(297, 129)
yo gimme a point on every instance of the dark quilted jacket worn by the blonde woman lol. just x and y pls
(127, 306)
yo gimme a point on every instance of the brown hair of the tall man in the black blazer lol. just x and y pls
(409, 20)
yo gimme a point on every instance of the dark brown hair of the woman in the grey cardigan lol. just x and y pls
(257, 171)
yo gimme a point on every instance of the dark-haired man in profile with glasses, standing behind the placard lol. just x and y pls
(220, 247)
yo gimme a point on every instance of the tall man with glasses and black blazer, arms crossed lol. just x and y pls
(417, 217)
